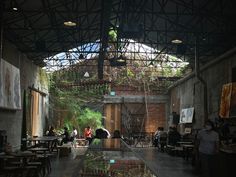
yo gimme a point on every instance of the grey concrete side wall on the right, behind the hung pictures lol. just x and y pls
(189, 91)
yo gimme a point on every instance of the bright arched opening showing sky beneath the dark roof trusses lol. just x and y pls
(129, 48)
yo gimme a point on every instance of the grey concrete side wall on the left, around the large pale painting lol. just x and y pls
(11, 120)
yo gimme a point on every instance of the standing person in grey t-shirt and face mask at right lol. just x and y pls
(208, 148)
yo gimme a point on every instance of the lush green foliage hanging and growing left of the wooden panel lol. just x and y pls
(71, 101)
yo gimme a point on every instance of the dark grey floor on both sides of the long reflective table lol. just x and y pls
(161, 163)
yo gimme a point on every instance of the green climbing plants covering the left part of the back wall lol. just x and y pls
(69, 106)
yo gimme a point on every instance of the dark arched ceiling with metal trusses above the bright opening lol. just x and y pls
(37, 27)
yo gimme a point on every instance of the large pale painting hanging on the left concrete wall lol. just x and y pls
(10, 97)
